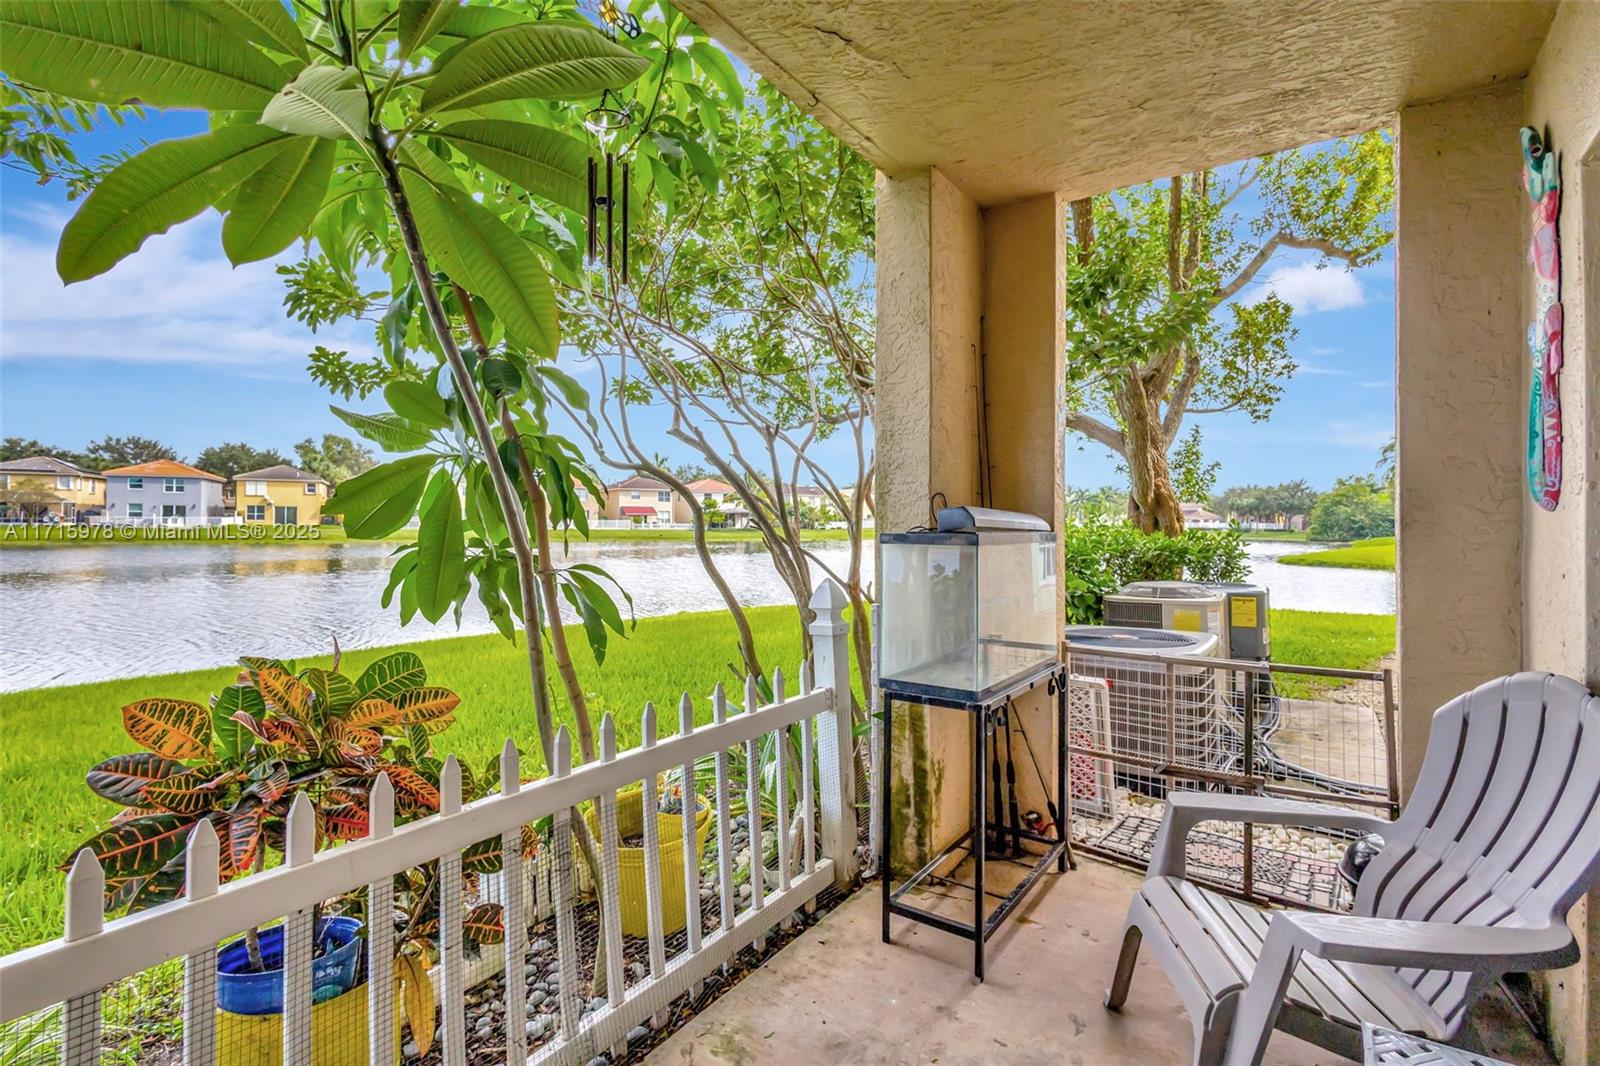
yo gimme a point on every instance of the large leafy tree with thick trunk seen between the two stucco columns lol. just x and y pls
(1156, 329)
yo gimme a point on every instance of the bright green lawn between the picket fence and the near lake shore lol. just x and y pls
(50, 737)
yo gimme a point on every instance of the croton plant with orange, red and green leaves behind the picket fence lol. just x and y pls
(260, 743)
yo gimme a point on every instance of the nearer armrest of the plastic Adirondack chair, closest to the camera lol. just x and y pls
(1431, 945)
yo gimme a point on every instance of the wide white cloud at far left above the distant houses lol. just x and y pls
(177, 302)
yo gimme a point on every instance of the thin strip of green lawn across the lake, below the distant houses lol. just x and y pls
(294, 535)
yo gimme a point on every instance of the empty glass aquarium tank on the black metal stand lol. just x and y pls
(966, 614)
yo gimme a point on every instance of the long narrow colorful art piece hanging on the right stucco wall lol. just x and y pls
(1545, 332)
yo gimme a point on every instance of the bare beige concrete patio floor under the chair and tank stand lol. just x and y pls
(839, 995)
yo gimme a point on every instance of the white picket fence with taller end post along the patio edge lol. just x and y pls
(95, 955)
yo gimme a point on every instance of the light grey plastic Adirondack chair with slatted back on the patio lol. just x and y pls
(1497, 843)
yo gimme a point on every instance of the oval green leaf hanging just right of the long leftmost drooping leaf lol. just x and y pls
(278, 204)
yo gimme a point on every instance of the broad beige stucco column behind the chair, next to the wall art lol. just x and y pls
(1460, 411)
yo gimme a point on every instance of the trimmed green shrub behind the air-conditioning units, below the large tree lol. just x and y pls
(1100, 559)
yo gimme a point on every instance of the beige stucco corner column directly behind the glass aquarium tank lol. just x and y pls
(962, 292)
